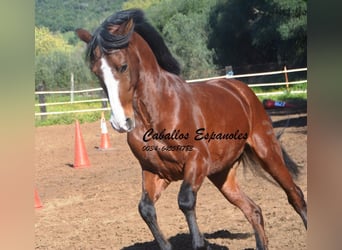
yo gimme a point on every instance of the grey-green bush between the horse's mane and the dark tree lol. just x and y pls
(183, 25)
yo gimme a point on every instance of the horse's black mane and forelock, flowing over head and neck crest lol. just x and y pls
(107, 41)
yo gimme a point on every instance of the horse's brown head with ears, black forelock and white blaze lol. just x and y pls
(111, 61)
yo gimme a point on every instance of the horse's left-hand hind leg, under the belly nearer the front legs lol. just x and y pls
(226, 182)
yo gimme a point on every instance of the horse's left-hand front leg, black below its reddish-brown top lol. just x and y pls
(151, 191)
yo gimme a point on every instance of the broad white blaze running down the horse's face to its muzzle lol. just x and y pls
(118, 118)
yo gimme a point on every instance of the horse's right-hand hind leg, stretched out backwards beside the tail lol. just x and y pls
(268, 151)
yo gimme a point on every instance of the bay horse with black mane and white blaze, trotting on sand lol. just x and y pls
(181, 131)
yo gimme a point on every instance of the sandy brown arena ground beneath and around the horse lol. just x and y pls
(96, 207)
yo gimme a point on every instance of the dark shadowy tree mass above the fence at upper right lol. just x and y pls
(259, 31)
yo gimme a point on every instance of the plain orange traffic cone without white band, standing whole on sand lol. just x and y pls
(81, 156)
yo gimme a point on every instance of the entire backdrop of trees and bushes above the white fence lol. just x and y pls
(203, 35)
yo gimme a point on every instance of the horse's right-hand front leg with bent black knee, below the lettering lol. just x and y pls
(193, 178)
